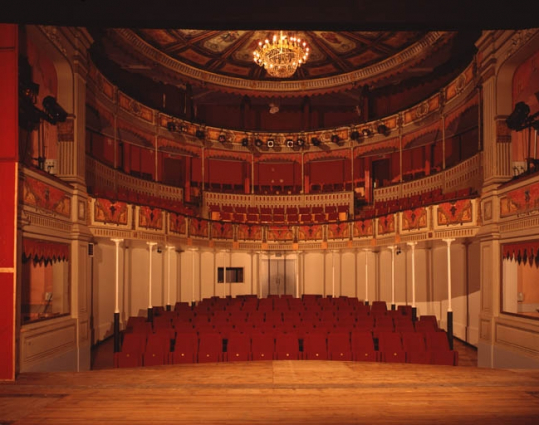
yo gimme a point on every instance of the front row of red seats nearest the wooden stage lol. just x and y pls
(190, 347)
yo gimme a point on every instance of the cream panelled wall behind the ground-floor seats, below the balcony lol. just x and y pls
(194, 276)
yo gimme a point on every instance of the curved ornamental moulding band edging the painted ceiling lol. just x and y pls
(411, 53)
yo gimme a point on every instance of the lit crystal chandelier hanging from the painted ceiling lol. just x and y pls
(282, 55)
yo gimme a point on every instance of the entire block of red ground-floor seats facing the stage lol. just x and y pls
(312, 328)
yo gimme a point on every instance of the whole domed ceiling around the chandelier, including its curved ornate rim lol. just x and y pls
(223, 60)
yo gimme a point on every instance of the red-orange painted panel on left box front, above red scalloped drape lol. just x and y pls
(45, 197)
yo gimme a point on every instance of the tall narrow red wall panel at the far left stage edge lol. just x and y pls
(8, 206)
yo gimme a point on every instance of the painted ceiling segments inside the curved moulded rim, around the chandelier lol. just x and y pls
(231, 52)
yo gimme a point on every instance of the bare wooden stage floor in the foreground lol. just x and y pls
(284, 392)
